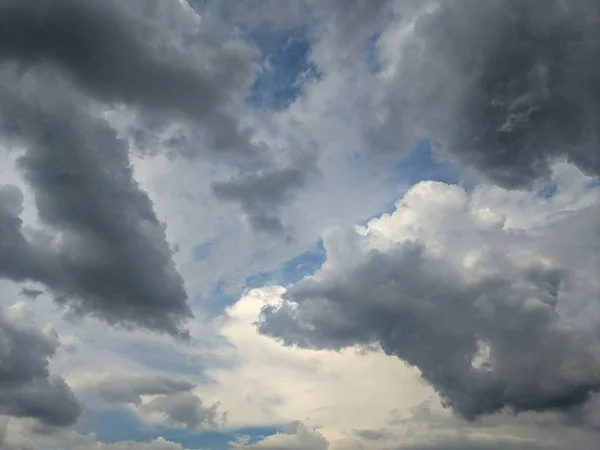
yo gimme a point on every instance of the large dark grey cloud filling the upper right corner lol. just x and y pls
(505, 86)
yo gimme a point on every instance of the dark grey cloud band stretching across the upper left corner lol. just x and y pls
(110, 50)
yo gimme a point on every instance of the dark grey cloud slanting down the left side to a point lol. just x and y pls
(108, 256)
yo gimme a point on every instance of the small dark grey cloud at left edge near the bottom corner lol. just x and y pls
(27, 389)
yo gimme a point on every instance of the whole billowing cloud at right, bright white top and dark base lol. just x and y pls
(447, 285)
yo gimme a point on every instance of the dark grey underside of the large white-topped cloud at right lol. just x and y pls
(485, 345)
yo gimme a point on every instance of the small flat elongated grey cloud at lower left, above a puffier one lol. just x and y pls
(129, 389)
